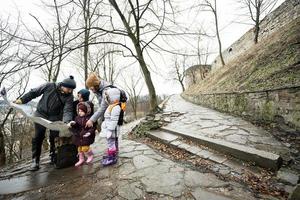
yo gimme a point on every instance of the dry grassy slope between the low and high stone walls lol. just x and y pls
(273, 63)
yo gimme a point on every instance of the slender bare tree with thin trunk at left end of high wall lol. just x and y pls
(212, 6)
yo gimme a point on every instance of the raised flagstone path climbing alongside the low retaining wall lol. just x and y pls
(213, 124)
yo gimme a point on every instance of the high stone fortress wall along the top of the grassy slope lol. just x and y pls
(284, 14)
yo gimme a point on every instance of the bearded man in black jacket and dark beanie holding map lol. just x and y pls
(56, 104)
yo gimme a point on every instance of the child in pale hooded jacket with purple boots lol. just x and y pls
(110, 126)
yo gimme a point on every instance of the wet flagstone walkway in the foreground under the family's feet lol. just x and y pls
(141, 173)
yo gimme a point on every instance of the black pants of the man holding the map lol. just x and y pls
(37, 141)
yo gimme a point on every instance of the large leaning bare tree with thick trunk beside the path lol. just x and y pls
(135, 17)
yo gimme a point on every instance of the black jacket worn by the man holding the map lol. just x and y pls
(54, 105)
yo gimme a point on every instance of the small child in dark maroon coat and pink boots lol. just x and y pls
(83, 137)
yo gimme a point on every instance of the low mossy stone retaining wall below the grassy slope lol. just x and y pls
(280, 106)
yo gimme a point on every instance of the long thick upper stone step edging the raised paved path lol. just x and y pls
(261, 158)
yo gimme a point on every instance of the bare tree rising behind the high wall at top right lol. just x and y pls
(256, 10)
